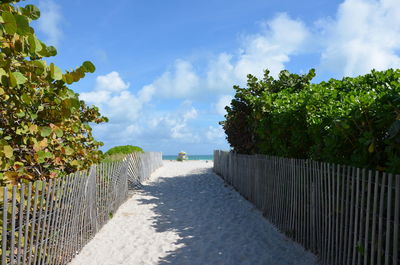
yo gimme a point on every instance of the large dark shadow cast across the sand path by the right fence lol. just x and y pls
(215, 225)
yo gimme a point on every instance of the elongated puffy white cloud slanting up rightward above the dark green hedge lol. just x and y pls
(278, 39)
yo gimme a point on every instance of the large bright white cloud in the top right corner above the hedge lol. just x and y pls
(364, 35)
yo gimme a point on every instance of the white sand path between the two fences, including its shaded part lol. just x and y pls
(185, 215)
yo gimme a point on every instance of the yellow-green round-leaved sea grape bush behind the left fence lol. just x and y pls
(44, 129)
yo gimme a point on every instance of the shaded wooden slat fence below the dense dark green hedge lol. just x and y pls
(345, 215)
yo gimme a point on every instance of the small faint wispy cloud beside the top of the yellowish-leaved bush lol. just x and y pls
(49, 21)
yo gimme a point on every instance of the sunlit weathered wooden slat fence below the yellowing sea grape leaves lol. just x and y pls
(49, 222)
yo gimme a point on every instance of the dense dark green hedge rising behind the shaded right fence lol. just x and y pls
(353, 121)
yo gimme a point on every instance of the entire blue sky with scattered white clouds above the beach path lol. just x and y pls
(165, 69)
